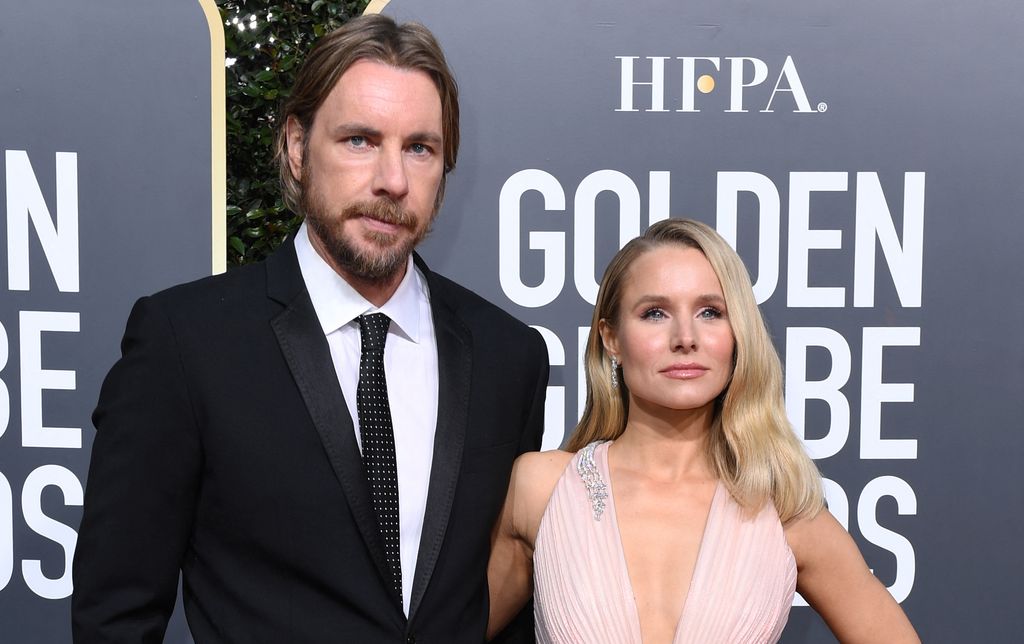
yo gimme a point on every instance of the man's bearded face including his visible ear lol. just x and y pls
(371, 166)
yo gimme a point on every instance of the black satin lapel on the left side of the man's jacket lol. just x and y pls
(309, 359)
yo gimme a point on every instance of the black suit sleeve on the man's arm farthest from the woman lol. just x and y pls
(142, 489)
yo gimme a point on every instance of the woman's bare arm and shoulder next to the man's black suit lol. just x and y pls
(510, 572)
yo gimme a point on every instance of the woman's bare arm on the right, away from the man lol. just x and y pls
(836, 582)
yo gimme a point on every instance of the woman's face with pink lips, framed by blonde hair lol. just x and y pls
(673, 337)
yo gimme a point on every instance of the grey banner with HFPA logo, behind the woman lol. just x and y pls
(865, 158)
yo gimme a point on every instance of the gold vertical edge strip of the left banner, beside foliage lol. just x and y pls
(219, 133)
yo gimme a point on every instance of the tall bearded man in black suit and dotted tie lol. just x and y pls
(310, 485)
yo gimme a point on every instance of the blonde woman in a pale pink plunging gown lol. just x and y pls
(686, 509)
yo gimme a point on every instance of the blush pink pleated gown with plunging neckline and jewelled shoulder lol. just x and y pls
(743, 584)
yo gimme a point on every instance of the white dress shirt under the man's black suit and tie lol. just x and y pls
(411, 369)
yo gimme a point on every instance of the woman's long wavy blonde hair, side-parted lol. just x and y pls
(752, 447)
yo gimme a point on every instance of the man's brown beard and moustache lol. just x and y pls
(391, 251)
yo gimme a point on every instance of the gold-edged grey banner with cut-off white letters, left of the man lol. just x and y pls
(111, 175)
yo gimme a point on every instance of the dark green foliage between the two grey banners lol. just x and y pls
(265, 42)
